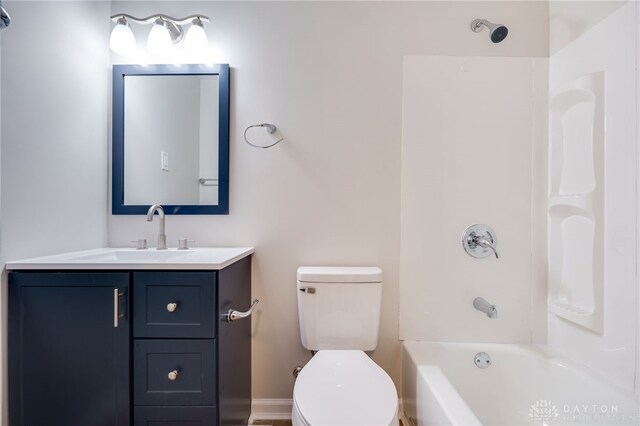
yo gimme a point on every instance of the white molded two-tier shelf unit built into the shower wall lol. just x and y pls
(576, 201)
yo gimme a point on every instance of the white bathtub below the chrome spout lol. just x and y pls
(523, 385)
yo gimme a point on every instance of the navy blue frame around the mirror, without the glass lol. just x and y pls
(119, 73)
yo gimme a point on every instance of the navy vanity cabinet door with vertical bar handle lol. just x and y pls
(68, 349)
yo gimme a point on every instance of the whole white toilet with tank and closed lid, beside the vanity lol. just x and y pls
(339, 313)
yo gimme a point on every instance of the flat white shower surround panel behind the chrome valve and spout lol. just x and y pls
(467, 145)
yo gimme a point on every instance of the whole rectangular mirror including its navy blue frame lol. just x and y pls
(171, 138)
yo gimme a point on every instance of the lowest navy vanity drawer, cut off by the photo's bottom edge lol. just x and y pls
(174, 416)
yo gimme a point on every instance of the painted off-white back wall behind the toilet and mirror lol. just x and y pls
(329, 75)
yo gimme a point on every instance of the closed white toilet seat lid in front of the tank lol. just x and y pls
(344, 387)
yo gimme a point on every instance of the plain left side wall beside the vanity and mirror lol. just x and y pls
(54, 111)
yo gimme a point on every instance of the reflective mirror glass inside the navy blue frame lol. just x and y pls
(171, 139)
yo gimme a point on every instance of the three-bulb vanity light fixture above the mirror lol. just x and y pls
(166, 31)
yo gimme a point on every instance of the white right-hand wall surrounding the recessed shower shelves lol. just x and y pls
(613, 353)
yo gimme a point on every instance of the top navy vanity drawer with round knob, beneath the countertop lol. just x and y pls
(174, 304)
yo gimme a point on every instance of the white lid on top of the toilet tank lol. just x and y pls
(340, 274)
